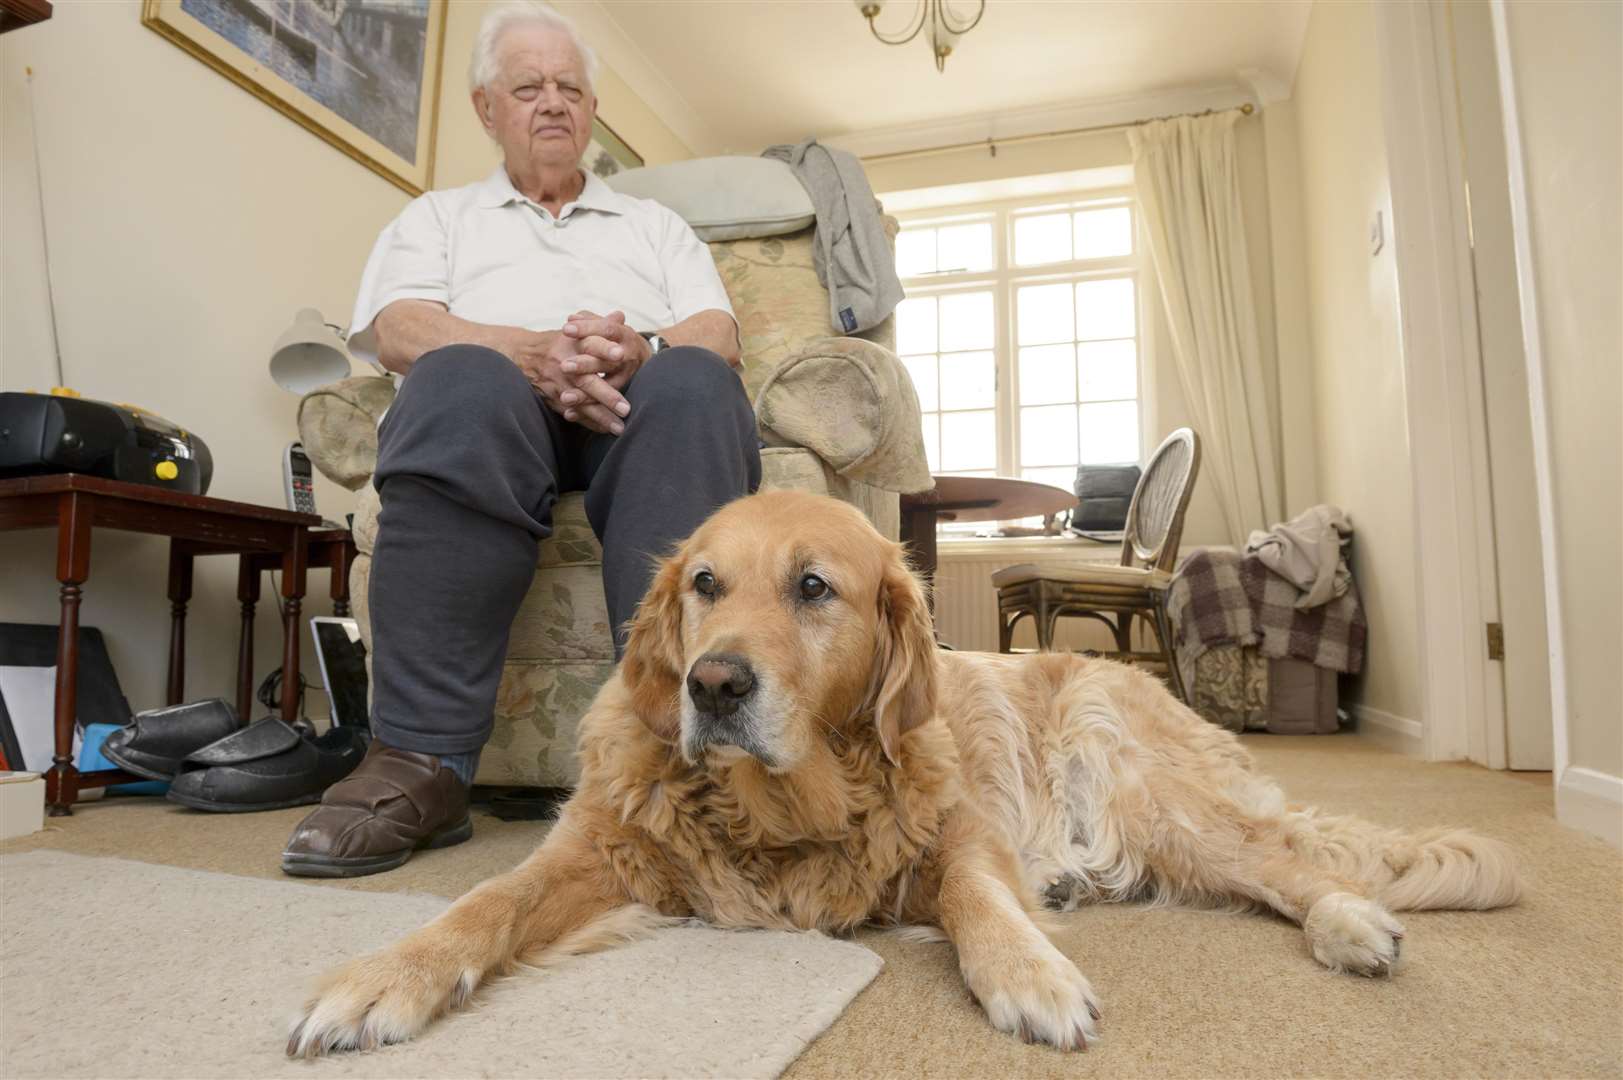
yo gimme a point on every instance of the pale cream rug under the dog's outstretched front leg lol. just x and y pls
(116, 969)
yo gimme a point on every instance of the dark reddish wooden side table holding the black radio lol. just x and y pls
(196, 525)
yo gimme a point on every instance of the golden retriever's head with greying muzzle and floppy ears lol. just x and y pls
(778, 624)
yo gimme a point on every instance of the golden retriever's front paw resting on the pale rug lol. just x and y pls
(385, 998)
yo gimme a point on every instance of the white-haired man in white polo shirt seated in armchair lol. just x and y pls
(553, 337)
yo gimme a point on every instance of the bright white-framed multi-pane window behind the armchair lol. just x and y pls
(1022, 332)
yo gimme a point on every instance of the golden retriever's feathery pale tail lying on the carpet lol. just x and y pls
(1439, 868)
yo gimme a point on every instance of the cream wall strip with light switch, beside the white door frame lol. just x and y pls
(1359, 400)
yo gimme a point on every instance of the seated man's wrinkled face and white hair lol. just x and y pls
(540, 108)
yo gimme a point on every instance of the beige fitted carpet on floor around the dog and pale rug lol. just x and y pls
(1535, 991)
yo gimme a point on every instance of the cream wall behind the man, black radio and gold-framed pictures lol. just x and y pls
(187, 223)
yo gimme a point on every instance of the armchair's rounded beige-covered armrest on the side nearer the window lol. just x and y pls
(853, 404)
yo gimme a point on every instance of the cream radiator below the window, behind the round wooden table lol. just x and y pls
(966, 607)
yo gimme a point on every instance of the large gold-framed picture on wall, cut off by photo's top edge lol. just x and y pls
(364, 76)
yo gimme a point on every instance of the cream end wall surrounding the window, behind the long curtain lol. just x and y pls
(1165, 397)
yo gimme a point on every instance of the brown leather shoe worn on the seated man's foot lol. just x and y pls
(372, 821)
